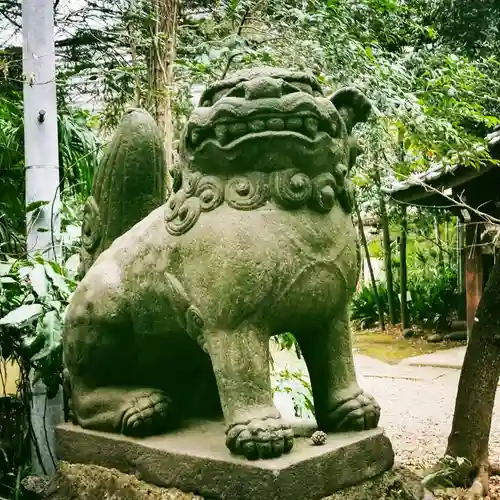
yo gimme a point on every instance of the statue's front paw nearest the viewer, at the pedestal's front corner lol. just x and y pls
(260, 438)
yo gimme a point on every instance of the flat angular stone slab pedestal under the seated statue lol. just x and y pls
(195, 459)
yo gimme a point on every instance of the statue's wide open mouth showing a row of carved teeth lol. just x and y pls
(227, 133)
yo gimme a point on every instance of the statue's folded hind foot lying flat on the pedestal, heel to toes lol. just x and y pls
(130, 411)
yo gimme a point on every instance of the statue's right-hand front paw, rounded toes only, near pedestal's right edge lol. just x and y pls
(359, 413)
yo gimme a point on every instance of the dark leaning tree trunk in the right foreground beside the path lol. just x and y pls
(479, 378)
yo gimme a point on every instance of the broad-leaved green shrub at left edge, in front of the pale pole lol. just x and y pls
(33, 297)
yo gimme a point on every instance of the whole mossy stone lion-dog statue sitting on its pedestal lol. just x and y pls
(173, 320)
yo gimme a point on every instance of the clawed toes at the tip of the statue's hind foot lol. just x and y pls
(148, 413)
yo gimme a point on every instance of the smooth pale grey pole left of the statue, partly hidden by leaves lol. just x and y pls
(42, 191)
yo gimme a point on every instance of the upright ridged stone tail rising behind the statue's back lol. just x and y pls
(129, 183)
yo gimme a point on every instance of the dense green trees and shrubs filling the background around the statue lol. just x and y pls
(430, 67)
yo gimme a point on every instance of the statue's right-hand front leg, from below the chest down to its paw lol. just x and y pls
(340, 404)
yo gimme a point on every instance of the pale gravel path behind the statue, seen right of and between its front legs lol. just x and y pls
(416, 413)
